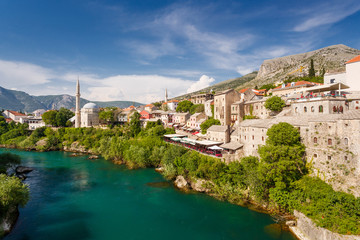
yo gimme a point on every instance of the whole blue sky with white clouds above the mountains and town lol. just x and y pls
(133, 50)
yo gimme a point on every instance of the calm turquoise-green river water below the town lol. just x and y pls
(77, 198)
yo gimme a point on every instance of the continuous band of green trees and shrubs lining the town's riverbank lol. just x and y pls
(278, 179)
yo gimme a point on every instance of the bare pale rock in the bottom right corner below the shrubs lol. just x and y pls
(307, 230)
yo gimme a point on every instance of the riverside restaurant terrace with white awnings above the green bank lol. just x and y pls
(204, 146)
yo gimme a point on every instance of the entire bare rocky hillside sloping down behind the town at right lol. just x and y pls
(331, 58)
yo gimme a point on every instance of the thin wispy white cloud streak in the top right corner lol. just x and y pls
(329, 13)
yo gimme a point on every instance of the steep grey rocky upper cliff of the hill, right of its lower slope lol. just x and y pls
(331, 58)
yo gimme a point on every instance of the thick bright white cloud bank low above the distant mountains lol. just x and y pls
(37, 80)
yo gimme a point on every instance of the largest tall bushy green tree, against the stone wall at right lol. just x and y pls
(282, 159)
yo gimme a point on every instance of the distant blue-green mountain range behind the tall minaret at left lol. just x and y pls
(21, 101)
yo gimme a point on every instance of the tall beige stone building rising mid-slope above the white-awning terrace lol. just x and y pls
(222, 105)
